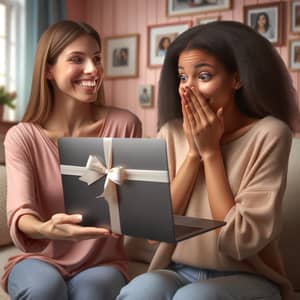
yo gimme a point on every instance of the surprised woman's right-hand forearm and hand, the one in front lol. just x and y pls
(207, 128)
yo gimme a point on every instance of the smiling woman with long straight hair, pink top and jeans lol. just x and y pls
(61, 259)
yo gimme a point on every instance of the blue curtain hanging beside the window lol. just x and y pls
(39, 15)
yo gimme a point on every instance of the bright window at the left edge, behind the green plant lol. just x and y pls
(10, 41)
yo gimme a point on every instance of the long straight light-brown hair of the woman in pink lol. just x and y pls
(52, 42)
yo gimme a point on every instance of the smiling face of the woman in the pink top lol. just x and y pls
(78, 72)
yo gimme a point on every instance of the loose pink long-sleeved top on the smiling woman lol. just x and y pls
(34, 187)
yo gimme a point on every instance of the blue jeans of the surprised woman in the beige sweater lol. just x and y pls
(181, 282)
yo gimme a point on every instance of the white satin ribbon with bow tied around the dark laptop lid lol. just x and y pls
(95, 170)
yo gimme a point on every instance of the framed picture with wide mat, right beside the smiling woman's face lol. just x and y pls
(121, 56)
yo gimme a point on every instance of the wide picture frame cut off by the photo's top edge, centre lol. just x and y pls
(186, 7)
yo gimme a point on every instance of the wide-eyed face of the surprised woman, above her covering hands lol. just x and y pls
(203, 71)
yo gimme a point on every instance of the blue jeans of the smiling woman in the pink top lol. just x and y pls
(35, 280)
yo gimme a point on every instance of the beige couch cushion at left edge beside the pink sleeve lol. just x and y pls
(4, 234)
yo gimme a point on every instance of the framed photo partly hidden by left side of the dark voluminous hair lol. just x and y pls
(159, 39)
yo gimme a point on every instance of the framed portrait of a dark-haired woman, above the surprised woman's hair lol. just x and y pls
(266, 19)
